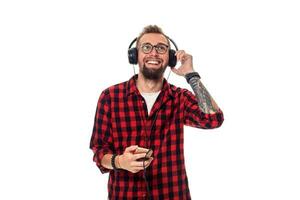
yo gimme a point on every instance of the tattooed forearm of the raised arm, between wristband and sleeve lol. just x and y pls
(202, 95)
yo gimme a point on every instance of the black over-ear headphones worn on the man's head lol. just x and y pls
(133, 53)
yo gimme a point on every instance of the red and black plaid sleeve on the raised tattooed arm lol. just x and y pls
(195, 117)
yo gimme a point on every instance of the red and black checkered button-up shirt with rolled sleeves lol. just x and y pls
(122, 120)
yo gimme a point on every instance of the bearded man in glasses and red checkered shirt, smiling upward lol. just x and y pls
(138, 129)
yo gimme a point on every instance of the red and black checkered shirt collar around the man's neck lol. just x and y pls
(132, 88)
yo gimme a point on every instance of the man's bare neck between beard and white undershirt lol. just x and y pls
(146, 85)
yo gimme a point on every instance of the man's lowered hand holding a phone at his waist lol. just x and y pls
(128, 160)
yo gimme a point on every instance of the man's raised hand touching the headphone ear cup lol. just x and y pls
(186, 61)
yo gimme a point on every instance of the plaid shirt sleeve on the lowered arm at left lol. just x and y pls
(101, 141)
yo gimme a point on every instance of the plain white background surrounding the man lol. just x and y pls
(57, 56)
